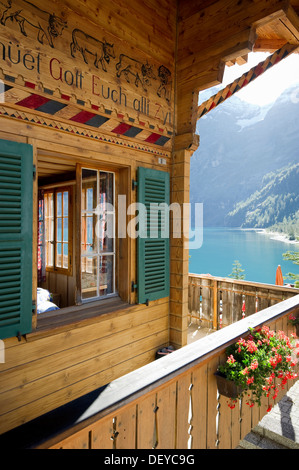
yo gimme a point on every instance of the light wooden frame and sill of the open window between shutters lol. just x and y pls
(122, 250)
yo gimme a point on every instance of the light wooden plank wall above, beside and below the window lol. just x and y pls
(65, 361)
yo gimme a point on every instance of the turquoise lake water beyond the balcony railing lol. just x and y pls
(258, 254)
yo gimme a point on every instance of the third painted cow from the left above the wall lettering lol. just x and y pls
(141, 72)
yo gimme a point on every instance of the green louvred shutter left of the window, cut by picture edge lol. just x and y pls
(16, 176)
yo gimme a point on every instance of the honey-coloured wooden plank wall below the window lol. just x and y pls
(44, 373)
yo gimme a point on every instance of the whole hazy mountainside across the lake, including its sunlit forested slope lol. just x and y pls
(245, 171)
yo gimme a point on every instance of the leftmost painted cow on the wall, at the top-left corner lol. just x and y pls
(49, 25)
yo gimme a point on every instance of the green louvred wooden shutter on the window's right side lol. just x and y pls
(153, 239)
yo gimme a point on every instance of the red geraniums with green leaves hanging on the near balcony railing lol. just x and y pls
(254, 363)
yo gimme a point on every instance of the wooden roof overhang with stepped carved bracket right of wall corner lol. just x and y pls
(216, 33)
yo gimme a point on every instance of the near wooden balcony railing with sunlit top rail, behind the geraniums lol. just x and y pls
(173, 403)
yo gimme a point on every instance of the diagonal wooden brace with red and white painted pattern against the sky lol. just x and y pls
(245, 79)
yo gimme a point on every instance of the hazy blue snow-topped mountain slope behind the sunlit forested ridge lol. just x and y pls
(239, 145)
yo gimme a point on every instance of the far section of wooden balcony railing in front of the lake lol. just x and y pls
(215, 302)
